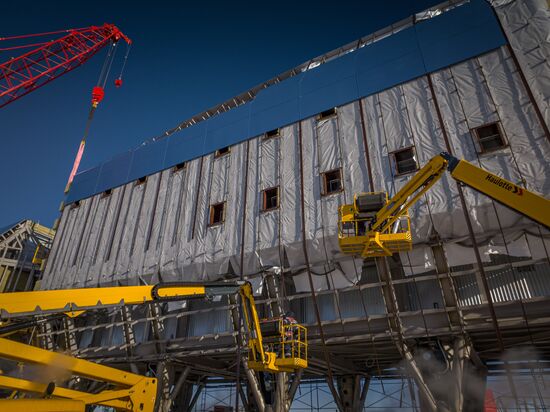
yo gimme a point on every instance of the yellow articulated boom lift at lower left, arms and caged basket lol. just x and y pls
(286, 350)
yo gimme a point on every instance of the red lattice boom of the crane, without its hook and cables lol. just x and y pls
(26, 73)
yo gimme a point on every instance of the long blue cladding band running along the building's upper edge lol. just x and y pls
(464, 32)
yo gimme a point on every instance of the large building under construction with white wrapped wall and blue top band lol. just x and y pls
(251, 188)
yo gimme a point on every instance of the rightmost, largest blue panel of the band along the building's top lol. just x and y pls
(458, 35)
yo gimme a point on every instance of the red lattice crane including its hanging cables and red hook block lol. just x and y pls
(52, 59)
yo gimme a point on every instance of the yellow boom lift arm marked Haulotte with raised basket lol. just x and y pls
(375, 226)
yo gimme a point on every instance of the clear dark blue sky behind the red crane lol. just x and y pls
(186, 57)
